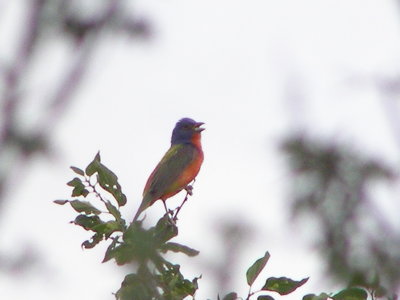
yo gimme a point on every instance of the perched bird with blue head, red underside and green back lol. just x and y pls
(179, 166)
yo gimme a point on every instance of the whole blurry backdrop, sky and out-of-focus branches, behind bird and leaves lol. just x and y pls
(300, 101)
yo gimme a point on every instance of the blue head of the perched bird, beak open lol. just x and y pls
(185, 130)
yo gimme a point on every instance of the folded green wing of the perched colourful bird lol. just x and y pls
(167, 172)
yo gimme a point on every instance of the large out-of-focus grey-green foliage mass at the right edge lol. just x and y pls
(332, 185)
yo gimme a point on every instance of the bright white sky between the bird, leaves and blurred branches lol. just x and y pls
(231, 64)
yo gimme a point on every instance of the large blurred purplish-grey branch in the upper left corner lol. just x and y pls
(84, 32)
